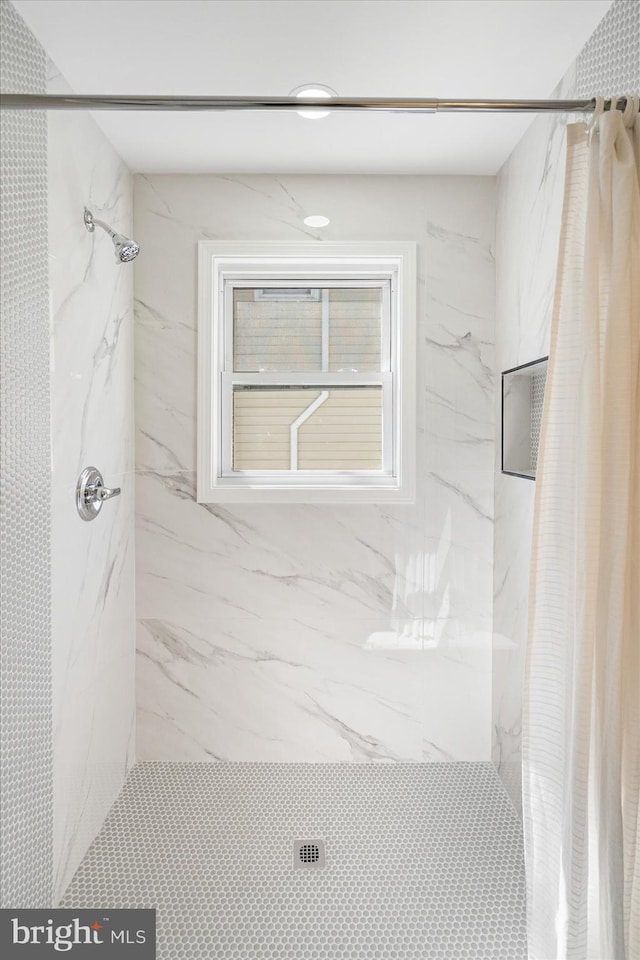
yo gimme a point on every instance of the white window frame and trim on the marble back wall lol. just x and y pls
(272, 263)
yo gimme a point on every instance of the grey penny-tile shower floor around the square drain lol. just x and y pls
(423, 861)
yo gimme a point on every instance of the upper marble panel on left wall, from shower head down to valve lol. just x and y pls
(91, 301)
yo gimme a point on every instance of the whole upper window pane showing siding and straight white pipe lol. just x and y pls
(306, 329)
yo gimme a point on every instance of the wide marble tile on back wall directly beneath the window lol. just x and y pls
(271, 560)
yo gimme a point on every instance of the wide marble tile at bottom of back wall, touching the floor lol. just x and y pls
(279, 690)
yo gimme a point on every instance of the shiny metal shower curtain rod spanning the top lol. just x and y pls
(29, 101)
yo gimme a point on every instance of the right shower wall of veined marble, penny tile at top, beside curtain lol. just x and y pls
(530, 193)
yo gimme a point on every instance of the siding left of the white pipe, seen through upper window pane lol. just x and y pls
(273, 330)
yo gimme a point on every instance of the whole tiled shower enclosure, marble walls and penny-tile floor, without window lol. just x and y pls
(286, 727)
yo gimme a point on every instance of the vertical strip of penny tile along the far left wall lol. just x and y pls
(25, 569)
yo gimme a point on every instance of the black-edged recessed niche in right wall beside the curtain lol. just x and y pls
(522, 399)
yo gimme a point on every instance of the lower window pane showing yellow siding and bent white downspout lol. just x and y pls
(307, 428)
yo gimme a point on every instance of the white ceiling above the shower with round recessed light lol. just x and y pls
(373, 48)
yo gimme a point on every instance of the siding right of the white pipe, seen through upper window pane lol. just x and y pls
(355, 328)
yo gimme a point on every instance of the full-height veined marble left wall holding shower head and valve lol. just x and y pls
(93, 603)
